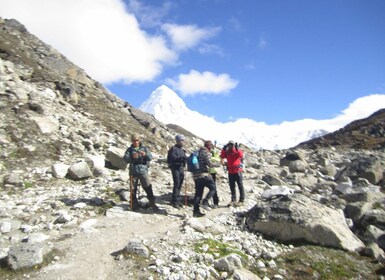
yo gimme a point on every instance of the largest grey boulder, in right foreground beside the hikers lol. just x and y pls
(298, 218)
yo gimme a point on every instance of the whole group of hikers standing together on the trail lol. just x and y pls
(230, 157)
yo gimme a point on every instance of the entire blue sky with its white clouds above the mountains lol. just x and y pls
(270, 61)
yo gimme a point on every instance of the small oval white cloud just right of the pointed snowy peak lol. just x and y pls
(195, 83)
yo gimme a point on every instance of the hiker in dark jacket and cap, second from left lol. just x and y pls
(176, 159)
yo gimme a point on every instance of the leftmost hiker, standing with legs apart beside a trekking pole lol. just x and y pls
(138, 156)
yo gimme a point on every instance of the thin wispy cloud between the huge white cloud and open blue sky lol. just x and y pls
(184, 37)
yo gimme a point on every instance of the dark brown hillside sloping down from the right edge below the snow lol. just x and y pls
(368, 133)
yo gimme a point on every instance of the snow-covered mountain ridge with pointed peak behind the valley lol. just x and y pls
(169, 108)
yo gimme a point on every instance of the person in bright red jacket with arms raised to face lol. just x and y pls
(234, 157)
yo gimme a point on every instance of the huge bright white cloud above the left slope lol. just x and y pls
(99, 36)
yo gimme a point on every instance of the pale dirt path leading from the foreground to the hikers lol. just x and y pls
(90, 253)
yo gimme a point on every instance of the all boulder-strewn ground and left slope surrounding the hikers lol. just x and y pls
(64, 209)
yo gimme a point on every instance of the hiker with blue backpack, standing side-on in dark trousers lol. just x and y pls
(202, 179)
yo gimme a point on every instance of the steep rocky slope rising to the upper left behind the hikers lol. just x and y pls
(51, 110)
